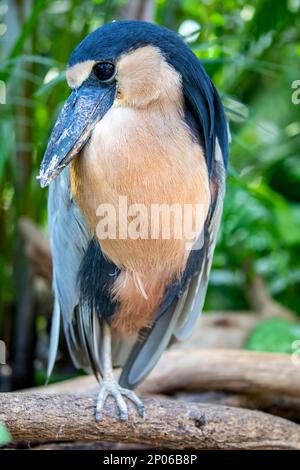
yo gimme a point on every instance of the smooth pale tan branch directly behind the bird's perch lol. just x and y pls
(197, 370)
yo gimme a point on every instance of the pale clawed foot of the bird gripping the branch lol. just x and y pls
(111, 387)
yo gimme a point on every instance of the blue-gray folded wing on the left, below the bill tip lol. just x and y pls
(69, 238)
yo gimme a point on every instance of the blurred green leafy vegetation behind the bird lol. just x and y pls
(251, 50)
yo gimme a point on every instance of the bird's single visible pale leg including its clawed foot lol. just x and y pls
(109, 385)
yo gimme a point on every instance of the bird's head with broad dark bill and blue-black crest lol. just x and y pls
(131, 63)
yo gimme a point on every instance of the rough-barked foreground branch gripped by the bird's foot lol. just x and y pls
(168, 424)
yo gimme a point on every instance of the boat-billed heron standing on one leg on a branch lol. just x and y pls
(143, 124)
